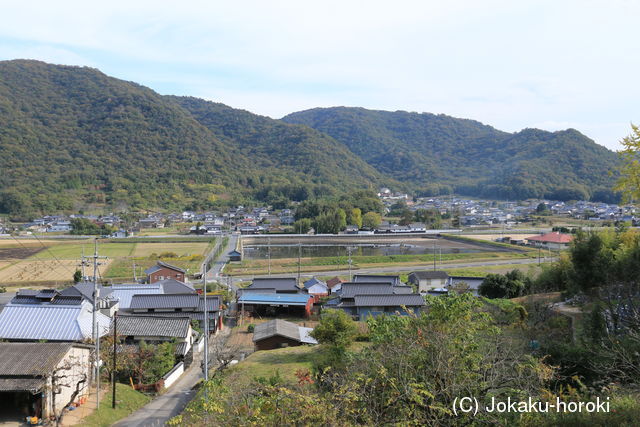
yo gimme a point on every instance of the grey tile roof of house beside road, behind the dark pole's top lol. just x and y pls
(153, 326)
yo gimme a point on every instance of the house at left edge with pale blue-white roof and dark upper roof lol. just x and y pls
(47, 315)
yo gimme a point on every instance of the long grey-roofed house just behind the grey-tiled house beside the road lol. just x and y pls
(178, 305)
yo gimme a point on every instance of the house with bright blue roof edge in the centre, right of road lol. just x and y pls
(269, 302)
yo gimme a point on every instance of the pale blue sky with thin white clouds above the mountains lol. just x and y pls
(510, 64)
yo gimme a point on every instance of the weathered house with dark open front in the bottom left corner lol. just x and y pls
(42, 379)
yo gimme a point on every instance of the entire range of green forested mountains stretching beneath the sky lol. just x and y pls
(72, 137)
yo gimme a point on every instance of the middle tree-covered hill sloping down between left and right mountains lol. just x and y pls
(316, 164)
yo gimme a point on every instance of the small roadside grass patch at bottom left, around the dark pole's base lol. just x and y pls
(127, 402)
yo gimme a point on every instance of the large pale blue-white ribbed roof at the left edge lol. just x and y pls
(50, 322)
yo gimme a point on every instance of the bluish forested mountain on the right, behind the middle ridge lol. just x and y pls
(437, 154)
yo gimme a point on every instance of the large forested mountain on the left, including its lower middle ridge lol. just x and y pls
(72, 136)
